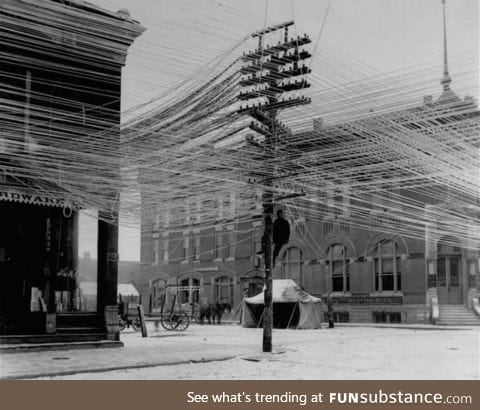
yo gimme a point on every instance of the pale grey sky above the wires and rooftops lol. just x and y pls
(383, 36)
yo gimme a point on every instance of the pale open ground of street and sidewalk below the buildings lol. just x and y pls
(360, 350)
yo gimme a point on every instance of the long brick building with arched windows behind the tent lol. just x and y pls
(359, 246)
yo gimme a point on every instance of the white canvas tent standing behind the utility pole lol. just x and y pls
(292, 307)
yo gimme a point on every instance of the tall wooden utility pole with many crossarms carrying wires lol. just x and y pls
(268, 73)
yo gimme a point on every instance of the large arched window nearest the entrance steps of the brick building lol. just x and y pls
(387, 267)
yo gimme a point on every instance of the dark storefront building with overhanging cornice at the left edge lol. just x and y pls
(60, 87)
